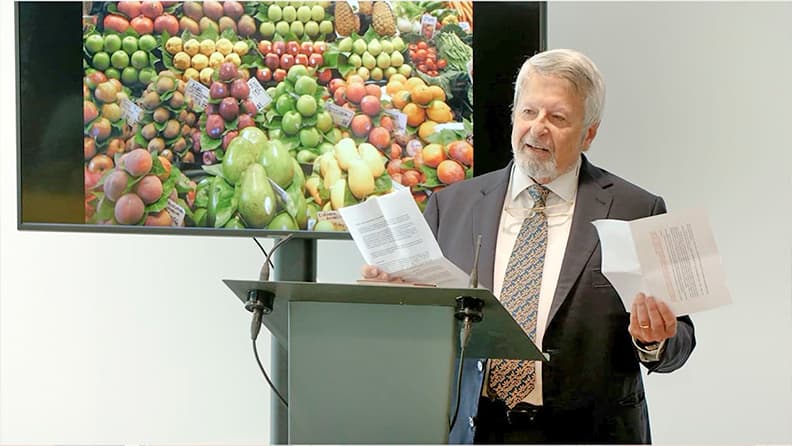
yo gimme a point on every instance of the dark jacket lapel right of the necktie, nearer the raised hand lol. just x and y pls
(593, 202)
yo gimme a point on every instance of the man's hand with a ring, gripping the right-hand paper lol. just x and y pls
(651, 320)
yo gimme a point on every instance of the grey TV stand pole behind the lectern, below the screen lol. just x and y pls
(295, 261)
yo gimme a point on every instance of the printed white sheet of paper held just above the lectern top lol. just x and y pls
(391, 234)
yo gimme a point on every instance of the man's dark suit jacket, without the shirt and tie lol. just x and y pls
(592, 386)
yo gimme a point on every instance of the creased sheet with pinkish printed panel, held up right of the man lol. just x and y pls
(670, 256)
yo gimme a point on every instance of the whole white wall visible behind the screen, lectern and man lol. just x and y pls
(134, 340)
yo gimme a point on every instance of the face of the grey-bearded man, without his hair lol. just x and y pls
(547, 129)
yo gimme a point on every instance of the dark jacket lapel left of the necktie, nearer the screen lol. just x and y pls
(486, 220)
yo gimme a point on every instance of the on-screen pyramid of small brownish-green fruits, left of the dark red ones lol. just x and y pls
(167, 124)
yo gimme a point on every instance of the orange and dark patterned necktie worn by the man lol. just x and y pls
(513, 380)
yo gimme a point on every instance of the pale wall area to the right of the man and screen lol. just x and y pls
(698, 110)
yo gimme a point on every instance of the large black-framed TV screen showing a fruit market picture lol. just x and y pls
(257, 118)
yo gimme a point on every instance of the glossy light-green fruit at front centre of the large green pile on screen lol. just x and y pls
(256, 198)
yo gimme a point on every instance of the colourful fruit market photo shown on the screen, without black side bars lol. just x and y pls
(271, 115)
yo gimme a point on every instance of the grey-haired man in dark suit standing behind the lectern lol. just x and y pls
(540, 255)
